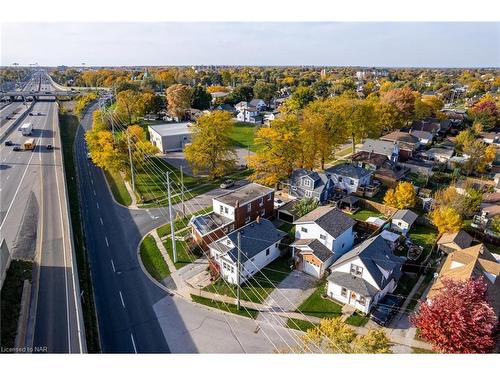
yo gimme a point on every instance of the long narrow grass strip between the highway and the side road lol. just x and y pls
(68, 126)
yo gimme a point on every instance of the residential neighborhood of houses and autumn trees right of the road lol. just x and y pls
(302, 197)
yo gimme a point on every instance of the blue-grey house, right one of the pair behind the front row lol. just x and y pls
(349, 177)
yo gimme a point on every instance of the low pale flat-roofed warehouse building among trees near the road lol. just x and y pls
(170, 137)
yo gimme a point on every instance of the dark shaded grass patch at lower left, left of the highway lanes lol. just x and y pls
(10, 300)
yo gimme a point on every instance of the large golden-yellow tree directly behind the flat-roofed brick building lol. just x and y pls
(280, 150)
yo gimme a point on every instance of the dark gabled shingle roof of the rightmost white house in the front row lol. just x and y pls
(375, 254)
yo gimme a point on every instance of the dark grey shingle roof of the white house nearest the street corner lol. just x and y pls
(255, 238)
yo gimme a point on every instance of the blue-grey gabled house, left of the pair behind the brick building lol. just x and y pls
(304, 183)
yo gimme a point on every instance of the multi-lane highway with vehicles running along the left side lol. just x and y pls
(35, 224)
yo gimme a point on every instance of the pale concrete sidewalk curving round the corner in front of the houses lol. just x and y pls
(397, 336)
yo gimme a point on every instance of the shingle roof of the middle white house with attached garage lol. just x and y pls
(331, 219)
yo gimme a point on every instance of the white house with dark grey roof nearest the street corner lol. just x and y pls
(259, 246)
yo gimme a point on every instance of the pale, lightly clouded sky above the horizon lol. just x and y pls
(395, 44)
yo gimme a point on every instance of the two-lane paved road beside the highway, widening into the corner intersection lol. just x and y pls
(134, 314)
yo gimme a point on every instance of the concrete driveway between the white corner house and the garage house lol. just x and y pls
(288, 296)
